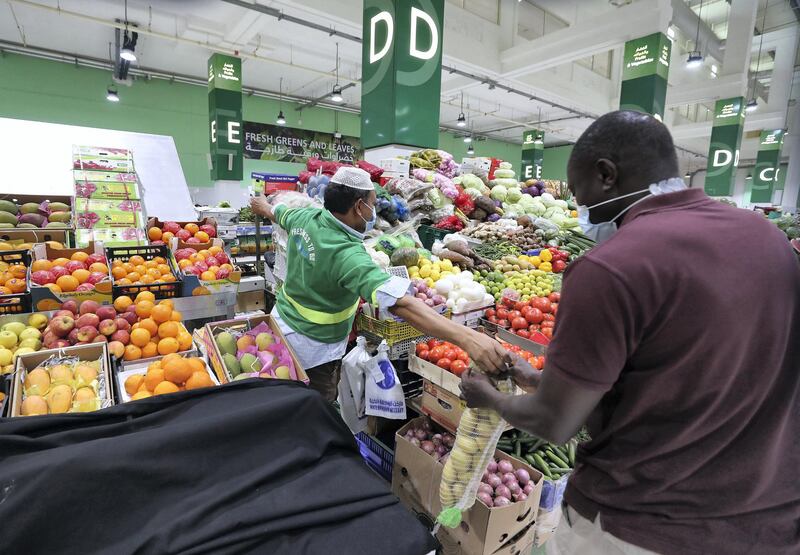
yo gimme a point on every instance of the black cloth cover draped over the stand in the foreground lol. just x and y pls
(258, 466)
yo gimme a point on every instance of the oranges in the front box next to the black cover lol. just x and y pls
(170, 374)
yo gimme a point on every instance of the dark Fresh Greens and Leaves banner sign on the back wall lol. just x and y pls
(277, 143)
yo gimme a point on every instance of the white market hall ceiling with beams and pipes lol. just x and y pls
(177, 36)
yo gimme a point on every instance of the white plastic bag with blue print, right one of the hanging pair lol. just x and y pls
(384, 393)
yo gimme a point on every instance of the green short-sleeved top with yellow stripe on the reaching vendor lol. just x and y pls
(327, 272)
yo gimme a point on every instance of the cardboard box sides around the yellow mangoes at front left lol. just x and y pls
(91, 352)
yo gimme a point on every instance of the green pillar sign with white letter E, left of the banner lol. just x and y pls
(225, 117)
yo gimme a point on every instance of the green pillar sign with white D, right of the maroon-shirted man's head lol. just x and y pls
(723, 153)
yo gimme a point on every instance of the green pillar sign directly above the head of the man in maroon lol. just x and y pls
(644, 74)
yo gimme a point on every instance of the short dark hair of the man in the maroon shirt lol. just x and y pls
(633, 140)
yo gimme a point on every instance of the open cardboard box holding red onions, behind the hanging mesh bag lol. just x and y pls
(416, 477)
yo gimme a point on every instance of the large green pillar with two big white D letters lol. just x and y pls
(401, 77)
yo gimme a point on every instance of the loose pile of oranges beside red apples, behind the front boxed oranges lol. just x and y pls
(158, 331)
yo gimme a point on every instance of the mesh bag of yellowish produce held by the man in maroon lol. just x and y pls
(476, 440)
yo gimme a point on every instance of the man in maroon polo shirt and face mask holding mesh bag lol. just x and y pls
(677, 343)
